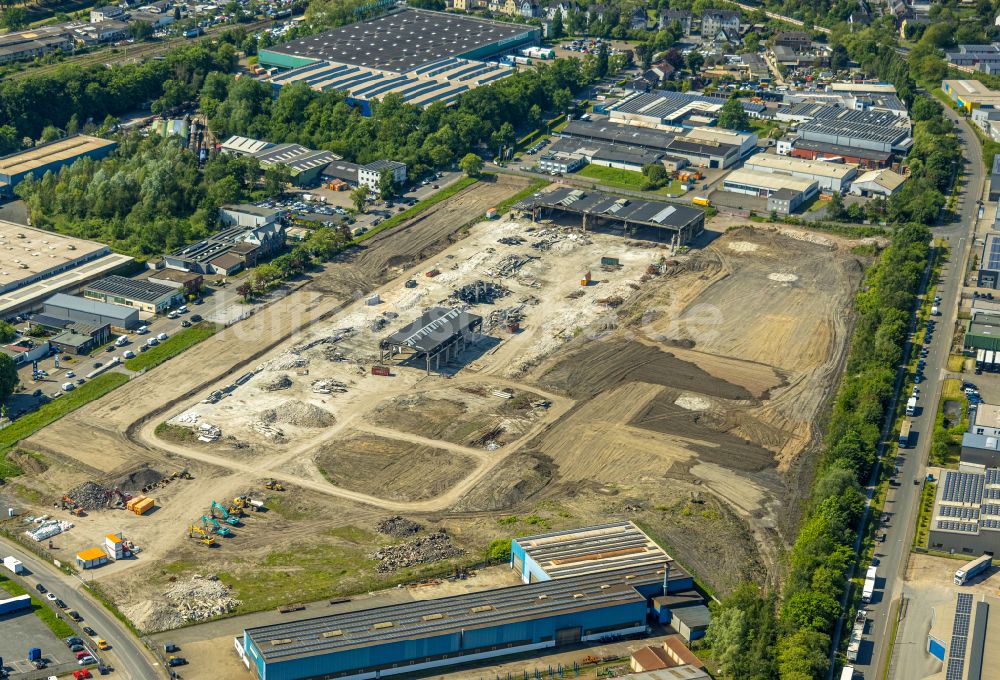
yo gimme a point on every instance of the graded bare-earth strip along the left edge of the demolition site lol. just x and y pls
(96, 437)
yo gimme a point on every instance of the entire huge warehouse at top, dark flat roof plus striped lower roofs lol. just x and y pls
(423, 56)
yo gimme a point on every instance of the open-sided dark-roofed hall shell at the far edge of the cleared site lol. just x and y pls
(656, 220)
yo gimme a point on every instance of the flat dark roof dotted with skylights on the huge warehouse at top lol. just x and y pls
(403, 40)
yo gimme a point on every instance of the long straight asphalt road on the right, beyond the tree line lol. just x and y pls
(903, 497)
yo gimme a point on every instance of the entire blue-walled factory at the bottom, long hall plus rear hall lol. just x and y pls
(580, 597)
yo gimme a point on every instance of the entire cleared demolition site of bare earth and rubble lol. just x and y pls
(468, 386)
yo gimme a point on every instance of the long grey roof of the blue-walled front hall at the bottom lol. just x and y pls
(382, 625)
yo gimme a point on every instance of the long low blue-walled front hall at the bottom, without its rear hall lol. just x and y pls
(421, 635)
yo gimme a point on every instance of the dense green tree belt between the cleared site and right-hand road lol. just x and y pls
(756, 635)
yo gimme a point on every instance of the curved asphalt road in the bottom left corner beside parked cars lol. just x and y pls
(127, 655)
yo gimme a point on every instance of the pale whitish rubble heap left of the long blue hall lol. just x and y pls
(196, 599)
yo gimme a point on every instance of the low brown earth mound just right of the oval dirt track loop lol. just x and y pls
(518, 477)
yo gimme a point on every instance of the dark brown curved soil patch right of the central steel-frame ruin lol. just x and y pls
(601, 365)
